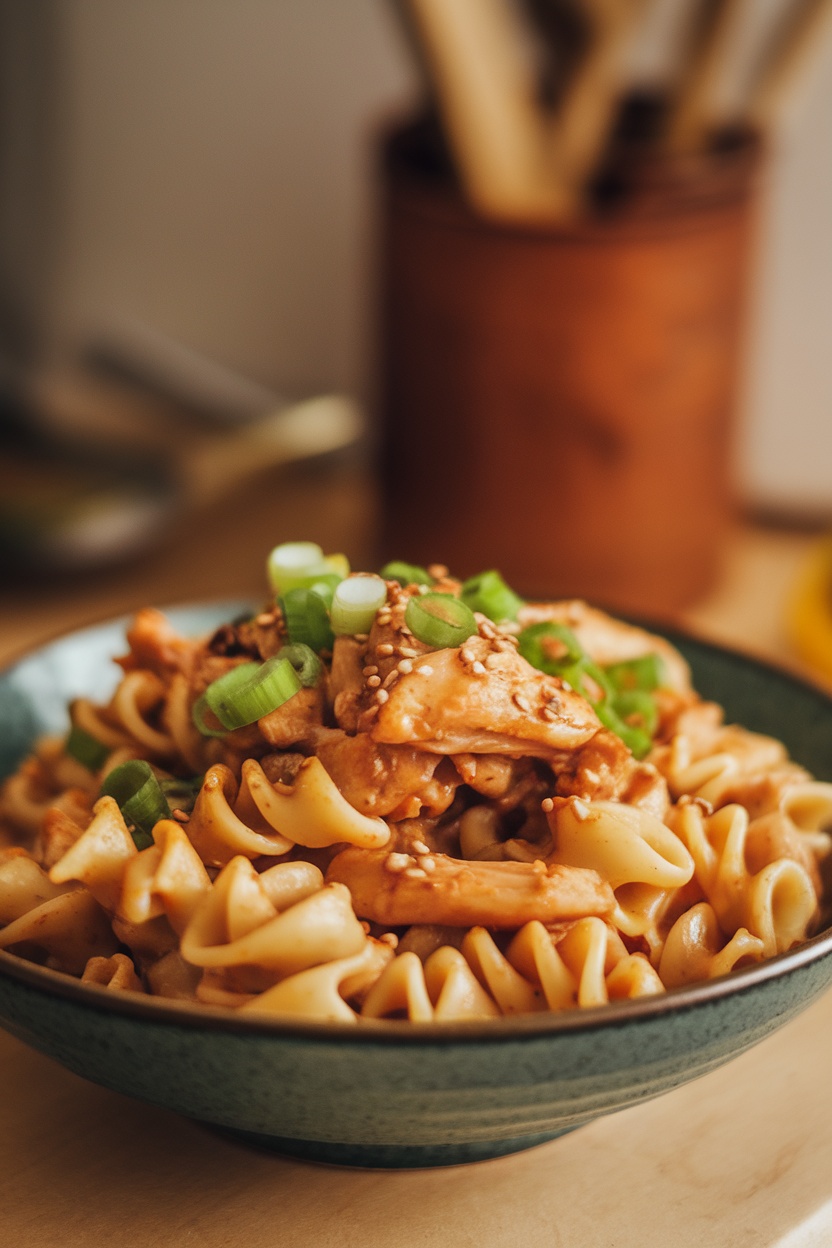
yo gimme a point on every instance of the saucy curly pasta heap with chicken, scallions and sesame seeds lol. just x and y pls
(405, 797)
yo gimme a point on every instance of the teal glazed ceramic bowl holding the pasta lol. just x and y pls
(387, 1094)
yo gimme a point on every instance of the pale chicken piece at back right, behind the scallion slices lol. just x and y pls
(609, 641)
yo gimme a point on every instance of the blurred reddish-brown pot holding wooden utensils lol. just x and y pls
(559, 402)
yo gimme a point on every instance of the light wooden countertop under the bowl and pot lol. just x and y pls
(743, 1156)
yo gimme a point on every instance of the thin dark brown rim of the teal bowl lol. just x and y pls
(191, 1015)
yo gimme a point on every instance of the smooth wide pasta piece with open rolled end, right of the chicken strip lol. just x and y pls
(624, 844)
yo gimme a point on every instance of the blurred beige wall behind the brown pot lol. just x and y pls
(206, 168)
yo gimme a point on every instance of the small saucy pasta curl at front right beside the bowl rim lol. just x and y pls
(697, 949)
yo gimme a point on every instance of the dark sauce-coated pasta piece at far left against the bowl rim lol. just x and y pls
(68, 930)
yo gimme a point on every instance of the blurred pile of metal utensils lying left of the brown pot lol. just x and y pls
(77, 499)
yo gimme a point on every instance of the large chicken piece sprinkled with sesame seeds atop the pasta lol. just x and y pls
(481, 698)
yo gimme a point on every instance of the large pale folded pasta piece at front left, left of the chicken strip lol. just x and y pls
(238, 925)
